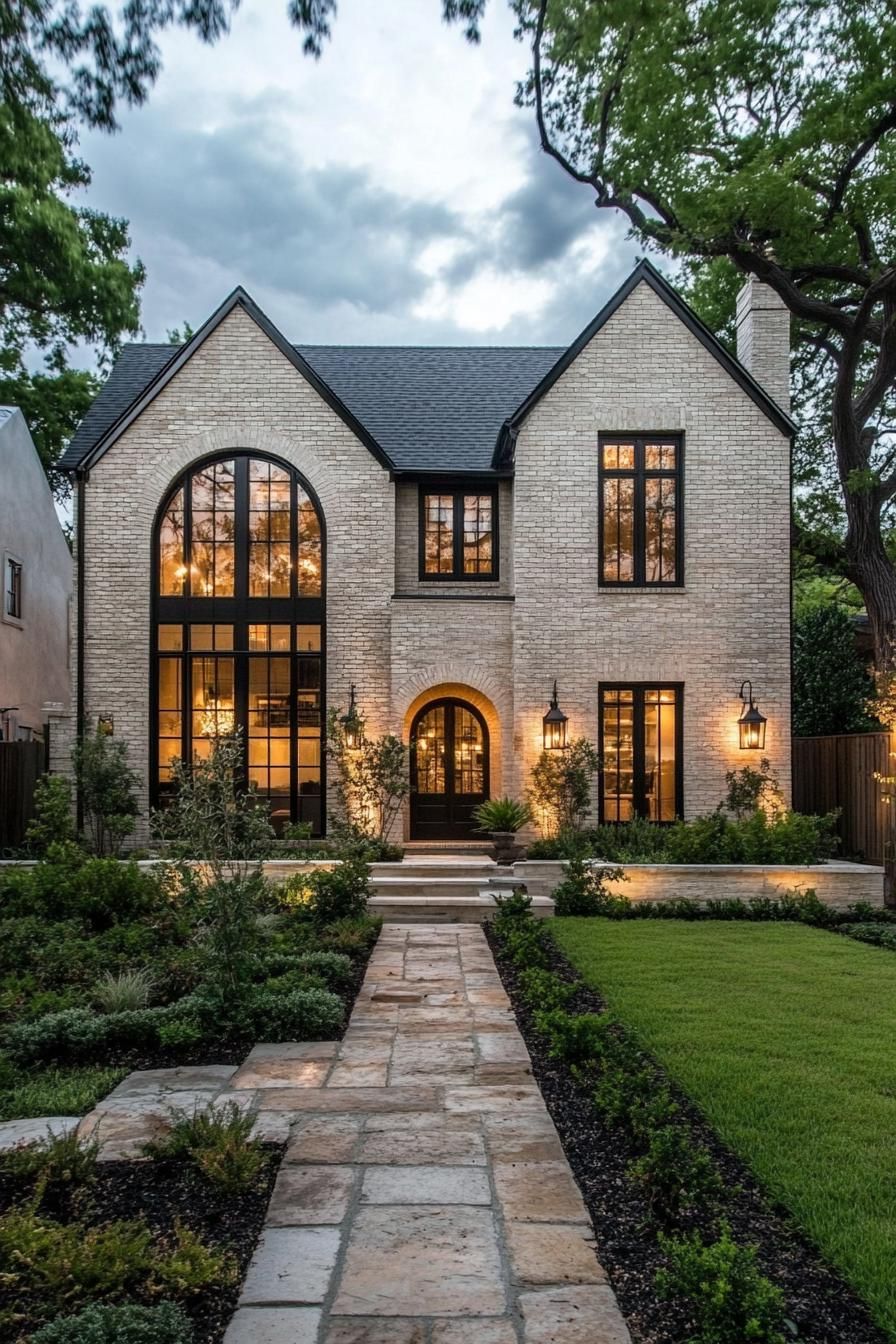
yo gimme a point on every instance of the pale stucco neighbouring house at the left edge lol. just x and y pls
(37, 589)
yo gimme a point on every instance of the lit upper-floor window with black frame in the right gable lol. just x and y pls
(641, 511)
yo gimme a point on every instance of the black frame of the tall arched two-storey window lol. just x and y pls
(241, 611)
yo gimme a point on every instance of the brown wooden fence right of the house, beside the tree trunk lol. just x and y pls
(839, 773)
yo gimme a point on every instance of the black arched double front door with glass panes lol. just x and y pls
(449, 771)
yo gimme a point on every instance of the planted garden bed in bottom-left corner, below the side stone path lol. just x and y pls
(127, 1236)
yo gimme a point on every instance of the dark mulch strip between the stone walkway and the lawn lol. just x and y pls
(821, 1306)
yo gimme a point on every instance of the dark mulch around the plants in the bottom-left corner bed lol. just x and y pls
(162, 1193)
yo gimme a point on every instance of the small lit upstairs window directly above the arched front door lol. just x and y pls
(459, 534)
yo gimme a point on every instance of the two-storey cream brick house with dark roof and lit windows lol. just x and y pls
(263, 526)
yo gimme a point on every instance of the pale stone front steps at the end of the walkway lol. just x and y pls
(443, 889)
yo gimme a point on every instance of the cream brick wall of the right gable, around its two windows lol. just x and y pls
(645, 372)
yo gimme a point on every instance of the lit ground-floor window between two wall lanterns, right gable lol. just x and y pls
(640, 748)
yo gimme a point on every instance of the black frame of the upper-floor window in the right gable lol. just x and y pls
(641, 475)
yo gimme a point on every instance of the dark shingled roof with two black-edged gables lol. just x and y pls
(420, 409)
